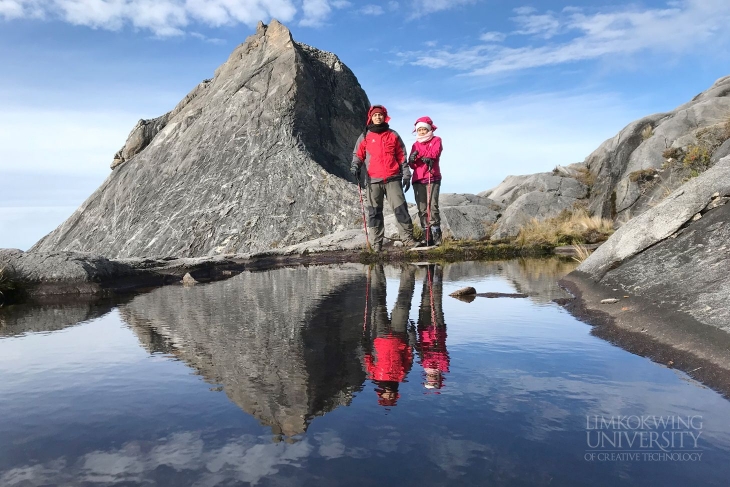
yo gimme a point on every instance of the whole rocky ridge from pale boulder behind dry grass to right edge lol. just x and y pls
(628, 173)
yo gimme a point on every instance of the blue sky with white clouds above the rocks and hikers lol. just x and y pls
(515, 87)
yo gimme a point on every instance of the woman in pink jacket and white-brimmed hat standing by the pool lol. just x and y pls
(424, 160)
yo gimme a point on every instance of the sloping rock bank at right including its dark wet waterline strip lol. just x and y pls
(665, 272)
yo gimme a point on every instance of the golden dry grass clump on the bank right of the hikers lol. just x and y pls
(568, 228)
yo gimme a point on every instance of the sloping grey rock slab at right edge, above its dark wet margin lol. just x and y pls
(676, 254)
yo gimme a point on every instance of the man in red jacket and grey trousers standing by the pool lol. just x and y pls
(383, 153)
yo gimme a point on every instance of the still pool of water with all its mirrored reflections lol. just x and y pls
(346, 375)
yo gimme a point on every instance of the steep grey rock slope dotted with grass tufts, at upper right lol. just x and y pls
(652, 156)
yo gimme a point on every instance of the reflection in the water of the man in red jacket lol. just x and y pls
(389, 357)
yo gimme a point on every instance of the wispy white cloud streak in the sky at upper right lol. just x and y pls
(682, 27)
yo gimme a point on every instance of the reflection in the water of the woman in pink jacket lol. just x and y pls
(432, 330)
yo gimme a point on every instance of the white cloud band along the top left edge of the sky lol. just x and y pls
(163, 18)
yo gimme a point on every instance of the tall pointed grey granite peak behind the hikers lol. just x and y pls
(253, 159)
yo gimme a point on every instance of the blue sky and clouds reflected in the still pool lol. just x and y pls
(89, 404)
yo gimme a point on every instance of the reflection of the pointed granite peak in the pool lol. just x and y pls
(284, 343)
